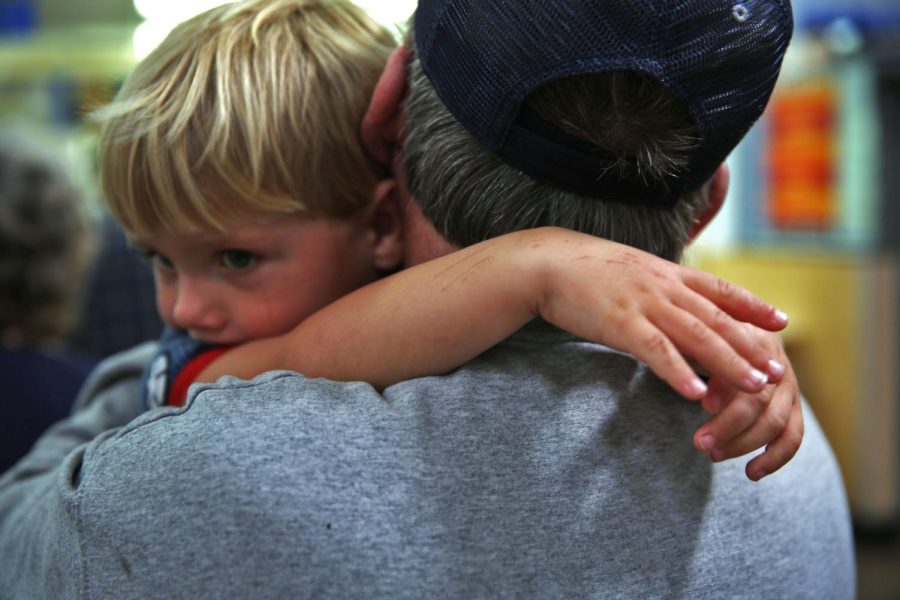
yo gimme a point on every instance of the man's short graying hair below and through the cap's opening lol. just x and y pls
(469, 194)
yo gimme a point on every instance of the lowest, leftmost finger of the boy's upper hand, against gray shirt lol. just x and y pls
(651, 346)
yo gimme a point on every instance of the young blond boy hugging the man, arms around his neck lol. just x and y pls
(231, 158)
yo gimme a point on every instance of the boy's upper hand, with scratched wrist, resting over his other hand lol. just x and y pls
(661, 312)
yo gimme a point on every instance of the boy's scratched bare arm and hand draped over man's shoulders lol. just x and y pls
(436, 316)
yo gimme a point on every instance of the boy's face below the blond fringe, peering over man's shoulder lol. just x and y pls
(261, 278)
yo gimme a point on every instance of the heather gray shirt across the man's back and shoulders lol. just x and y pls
(546, 468)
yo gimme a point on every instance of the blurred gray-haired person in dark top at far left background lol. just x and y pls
(45, 250)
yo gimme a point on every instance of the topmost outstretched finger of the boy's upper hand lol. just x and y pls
(735, 300)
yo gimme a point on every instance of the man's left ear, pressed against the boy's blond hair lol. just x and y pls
(382, 124)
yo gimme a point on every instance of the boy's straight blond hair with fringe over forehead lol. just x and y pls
(251, 108)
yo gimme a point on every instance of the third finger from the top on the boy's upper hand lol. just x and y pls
(694, 338)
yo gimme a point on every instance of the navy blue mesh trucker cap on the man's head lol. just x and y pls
(721, 58)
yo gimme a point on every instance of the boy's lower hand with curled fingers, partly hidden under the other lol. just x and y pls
(744, 422)
